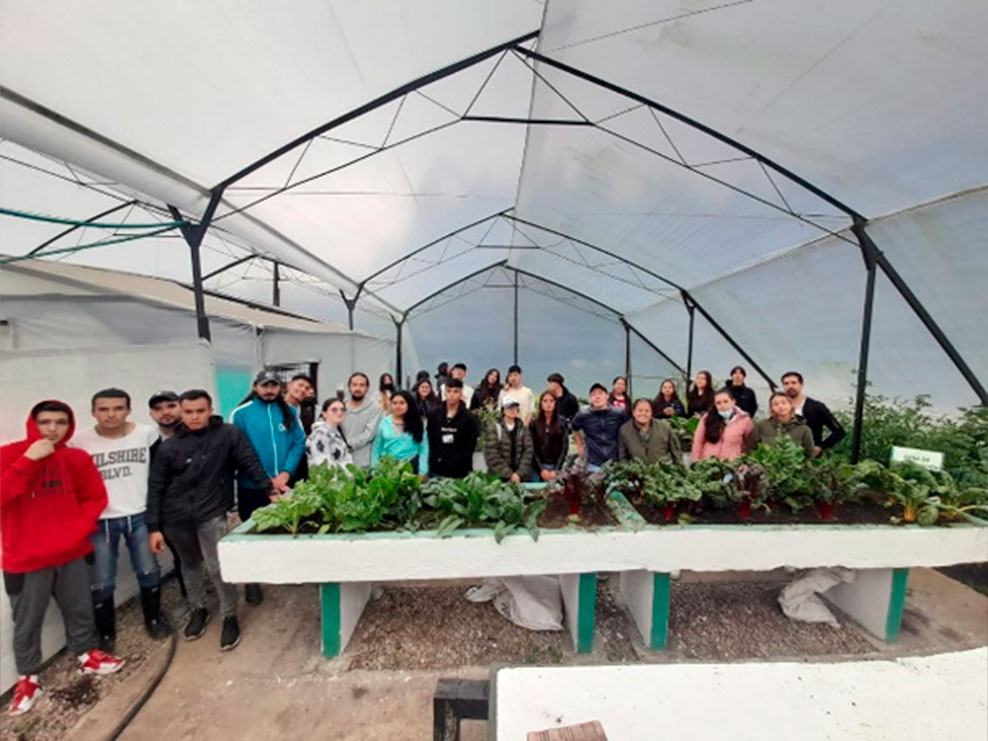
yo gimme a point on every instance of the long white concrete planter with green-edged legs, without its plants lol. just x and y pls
(644, 554)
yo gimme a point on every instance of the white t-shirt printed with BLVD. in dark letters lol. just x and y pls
(124, 464)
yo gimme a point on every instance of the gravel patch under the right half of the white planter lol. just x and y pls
(731, 621)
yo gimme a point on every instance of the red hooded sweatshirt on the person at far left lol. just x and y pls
(48, 508)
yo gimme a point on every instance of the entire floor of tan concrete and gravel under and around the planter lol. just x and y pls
(276, 684)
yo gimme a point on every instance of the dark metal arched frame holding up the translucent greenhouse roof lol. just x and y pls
(874, 259)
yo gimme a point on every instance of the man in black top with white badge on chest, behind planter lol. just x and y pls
(453, 432)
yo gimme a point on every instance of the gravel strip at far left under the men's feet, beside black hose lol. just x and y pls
(69, 695)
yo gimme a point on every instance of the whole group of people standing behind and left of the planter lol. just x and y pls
(69, 498)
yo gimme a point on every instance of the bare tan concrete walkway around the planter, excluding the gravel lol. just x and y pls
(276, 684)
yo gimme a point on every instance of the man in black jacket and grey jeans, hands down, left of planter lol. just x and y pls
(189, 495)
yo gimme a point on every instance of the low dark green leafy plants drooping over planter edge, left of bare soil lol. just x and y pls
(480, 500)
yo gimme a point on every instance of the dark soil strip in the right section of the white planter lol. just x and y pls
(848, 514)
